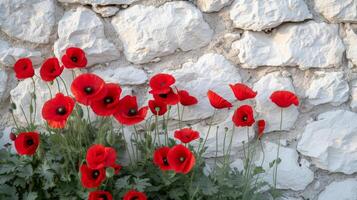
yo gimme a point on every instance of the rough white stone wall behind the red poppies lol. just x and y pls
(306, 46)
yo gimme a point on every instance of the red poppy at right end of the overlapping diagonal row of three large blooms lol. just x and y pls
(128, 112)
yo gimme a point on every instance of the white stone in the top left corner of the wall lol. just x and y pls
(29, 20)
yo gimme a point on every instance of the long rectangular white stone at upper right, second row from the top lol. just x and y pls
(307, 45)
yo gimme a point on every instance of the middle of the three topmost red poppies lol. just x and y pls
(50, 69)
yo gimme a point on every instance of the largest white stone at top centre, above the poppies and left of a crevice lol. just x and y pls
(148, 32)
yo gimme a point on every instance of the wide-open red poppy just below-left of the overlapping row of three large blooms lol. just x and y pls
(57, 110)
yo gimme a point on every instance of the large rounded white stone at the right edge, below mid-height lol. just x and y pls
(330, 141)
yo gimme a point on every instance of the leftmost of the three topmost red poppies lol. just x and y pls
(23, 68)
